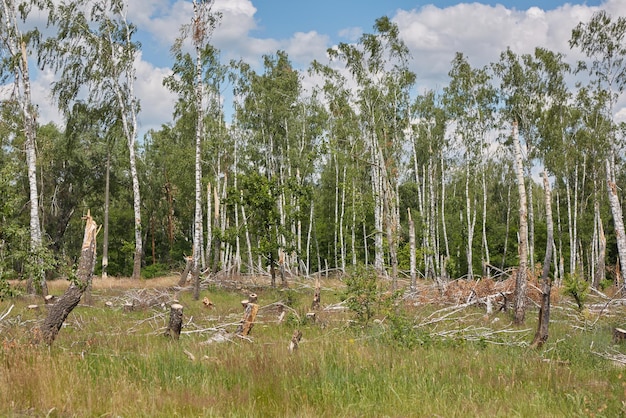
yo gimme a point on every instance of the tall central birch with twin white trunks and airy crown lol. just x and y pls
(379, 66)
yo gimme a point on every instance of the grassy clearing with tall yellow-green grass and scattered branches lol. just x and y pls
(408, 360)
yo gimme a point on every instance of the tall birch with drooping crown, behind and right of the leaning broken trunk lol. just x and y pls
(95, 55)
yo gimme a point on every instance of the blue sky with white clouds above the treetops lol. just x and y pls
(433, 30)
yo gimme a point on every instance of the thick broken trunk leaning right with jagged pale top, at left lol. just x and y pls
(58, 312)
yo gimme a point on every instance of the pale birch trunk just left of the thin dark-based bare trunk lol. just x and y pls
(520, 282)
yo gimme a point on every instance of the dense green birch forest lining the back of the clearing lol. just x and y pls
(319, 180)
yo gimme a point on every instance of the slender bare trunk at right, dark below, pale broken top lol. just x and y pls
(541, 336)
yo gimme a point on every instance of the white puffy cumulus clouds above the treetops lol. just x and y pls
(433, 35)
